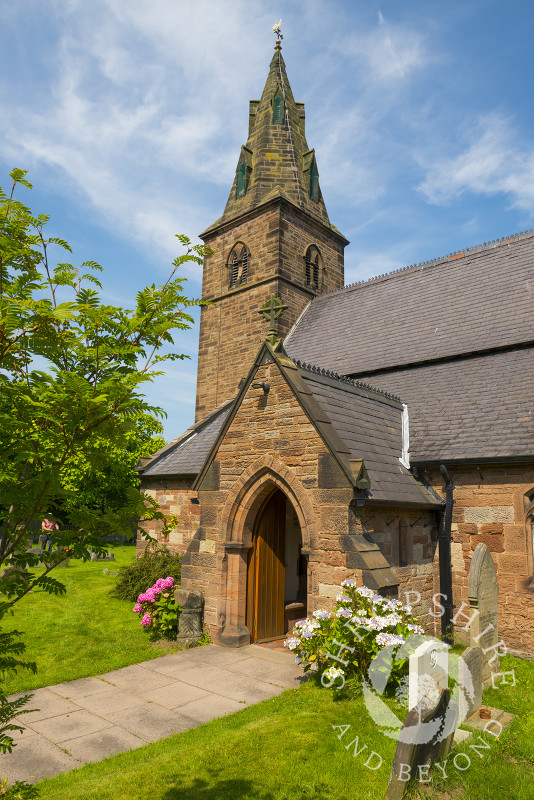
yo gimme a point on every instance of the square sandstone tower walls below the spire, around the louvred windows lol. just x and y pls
(231, 330)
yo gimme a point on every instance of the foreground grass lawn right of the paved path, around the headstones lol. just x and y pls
(286, 748)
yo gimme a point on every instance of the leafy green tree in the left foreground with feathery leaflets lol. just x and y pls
(72, 370)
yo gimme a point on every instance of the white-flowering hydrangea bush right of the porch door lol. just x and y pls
(341, 644)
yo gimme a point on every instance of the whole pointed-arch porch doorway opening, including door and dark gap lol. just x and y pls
(276, 571)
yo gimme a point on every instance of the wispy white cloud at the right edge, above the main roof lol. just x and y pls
(492, 162)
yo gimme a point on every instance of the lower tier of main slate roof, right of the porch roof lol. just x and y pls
(470, 409)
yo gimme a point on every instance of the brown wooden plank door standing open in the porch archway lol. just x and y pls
(266, 572)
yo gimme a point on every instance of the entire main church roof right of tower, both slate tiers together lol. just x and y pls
(454, 339)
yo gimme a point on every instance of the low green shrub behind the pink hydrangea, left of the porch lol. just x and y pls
(157, 560)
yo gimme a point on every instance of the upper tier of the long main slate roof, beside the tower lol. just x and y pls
(477, 300)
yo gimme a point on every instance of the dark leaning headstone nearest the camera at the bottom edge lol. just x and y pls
(426, 736)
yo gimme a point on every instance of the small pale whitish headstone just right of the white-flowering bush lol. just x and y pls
(429, 673)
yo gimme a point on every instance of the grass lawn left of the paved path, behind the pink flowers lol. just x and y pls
(83, 632)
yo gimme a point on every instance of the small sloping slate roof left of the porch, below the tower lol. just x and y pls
(187, 454)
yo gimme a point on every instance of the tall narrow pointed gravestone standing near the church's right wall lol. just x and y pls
(482, 593)
